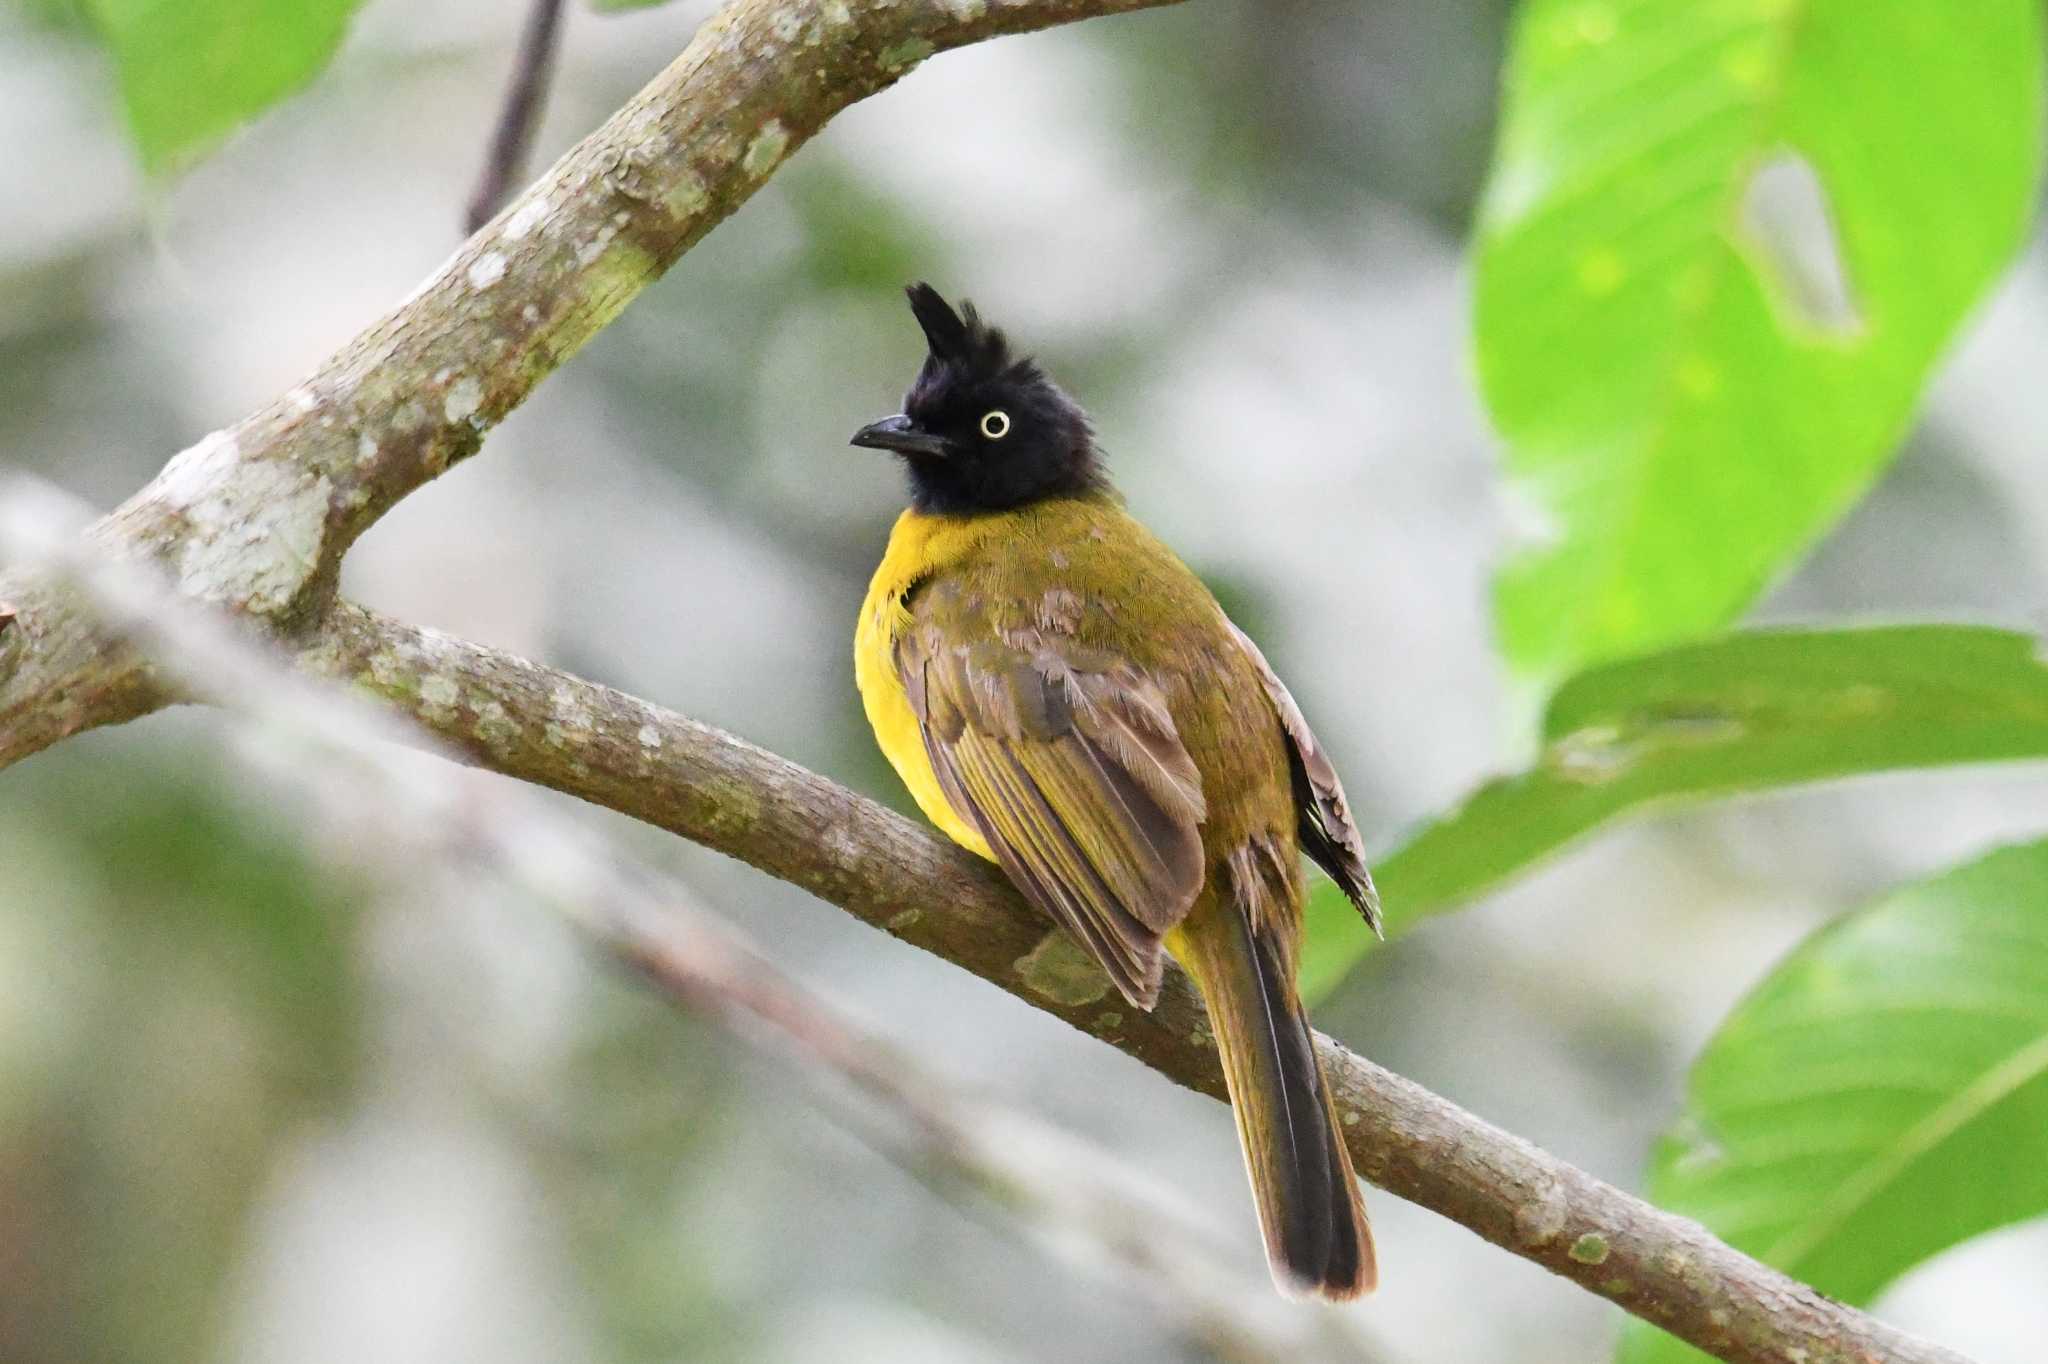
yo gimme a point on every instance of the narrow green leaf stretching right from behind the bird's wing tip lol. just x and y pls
(1752, 712)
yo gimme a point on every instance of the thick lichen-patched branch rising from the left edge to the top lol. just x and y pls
(259, 515)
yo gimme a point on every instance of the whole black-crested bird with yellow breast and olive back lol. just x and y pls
(1066, 699)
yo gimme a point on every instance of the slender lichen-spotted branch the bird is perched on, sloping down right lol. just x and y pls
(550, 728)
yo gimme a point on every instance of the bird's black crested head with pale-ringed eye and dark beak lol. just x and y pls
(984, 431)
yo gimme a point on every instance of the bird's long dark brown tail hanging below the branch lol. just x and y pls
(1318, 1240)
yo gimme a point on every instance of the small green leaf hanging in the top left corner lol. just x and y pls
(194, 71)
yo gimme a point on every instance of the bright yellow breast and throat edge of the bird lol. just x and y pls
(919, 548)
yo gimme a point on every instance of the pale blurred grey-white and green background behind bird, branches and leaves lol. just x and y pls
(259, 1111)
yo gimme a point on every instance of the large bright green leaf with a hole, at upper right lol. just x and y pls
(1678, 413)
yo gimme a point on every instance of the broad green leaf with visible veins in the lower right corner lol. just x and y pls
(1881, 1097)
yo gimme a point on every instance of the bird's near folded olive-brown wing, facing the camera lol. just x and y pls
(1070, 767)
